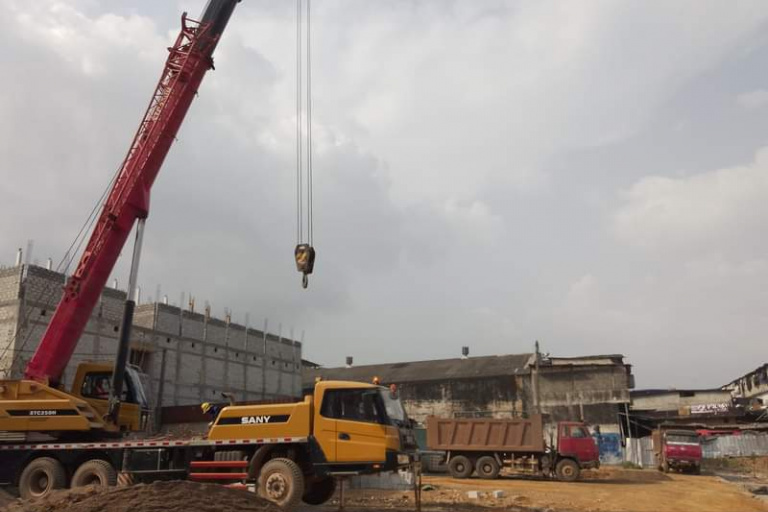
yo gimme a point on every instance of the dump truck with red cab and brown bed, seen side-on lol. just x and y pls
(486, 446)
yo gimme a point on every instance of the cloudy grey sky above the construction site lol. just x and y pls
(592, 175)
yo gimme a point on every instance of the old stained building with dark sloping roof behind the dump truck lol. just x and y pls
(595, 388)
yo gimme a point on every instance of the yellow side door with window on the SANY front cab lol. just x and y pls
(360, 423)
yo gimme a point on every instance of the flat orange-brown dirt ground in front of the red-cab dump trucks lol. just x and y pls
(607, 490)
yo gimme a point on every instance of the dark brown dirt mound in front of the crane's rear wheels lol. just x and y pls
(175, 496)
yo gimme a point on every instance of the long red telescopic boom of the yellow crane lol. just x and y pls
(190, 57)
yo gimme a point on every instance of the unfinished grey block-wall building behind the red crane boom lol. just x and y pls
(189, 357)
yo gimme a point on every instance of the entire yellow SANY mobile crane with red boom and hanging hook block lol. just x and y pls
(52, 439)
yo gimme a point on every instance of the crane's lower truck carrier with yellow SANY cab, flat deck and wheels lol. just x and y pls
(287, 452)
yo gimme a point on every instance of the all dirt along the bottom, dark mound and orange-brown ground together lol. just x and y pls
(606, 490)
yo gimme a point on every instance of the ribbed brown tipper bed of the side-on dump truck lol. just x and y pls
(485, 435)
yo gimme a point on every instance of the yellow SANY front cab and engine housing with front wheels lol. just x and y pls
(340, 428)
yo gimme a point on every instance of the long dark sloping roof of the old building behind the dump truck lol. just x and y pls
(420, 371)
